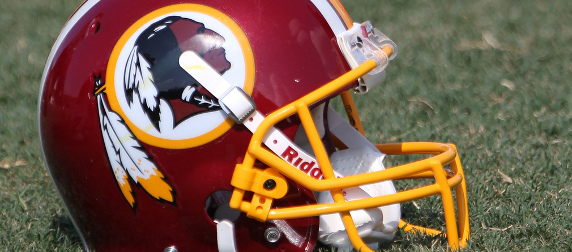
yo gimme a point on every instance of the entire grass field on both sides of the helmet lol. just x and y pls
(491, 76)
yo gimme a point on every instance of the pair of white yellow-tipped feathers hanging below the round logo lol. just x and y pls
(128, 158)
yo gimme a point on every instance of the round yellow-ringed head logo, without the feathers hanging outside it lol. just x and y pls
(161, 104)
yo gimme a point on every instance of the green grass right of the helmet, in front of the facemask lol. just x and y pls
(492, 77)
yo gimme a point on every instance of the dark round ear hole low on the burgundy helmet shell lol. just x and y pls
(217, 208)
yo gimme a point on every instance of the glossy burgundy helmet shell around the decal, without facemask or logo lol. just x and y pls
(293, 52)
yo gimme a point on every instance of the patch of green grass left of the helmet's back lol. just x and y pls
(30, 208)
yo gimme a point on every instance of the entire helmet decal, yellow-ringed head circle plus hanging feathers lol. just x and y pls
(152, 100)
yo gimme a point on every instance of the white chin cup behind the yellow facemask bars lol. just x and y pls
(375, 224)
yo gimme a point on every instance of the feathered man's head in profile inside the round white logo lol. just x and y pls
(152, 72)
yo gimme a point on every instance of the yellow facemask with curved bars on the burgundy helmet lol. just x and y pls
(259, 206)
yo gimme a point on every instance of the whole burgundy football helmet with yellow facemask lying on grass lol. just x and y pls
(205, 125)
